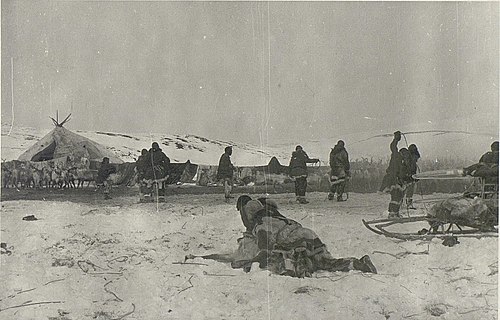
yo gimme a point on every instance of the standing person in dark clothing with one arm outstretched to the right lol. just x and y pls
(298, 172)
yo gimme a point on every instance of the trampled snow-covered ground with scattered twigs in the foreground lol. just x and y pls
(119, 260)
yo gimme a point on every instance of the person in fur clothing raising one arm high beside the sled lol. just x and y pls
(397, 176)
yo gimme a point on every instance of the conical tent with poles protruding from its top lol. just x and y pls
(61, 142)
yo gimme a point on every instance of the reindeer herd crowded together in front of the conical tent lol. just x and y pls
(25, 174)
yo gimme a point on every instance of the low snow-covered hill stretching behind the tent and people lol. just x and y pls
(180, 148)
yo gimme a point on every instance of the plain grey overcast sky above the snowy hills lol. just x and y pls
(253, 71)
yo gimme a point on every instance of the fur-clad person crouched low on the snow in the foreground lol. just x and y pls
(282, 245)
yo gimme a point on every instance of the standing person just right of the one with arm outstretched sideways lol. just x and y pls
(340, 170)
